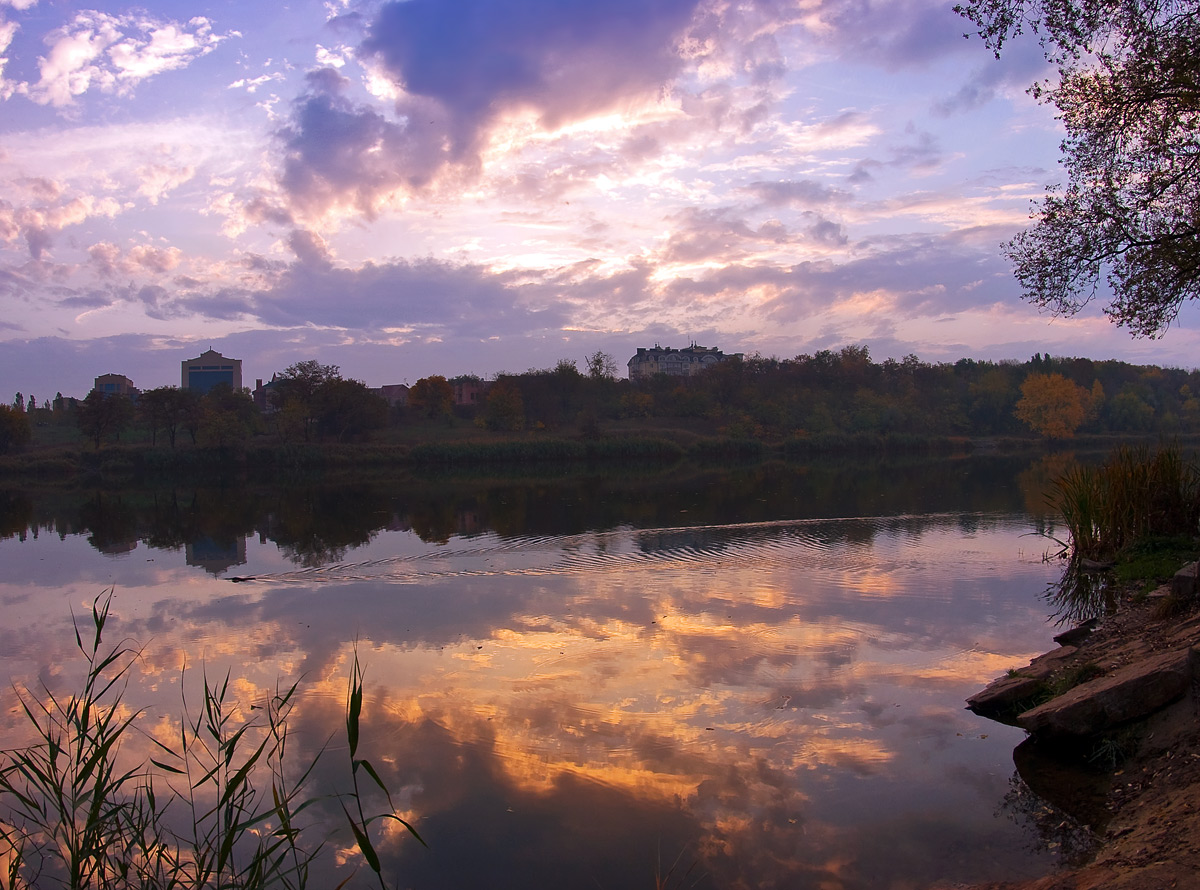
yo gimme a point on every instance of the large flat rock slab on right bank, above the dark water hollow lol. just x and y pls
(1130, 694)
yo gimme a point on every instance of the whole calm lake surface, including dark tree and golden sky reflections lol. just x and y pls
(718, 678)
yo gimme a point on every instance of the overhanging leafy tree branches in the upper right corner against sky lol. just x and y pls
(1129, 97)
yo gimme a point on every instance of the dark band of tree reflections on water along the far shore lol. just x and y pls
(319, 522)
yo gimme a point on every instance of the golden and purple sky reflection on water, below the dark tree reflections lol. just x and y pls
(779, 705)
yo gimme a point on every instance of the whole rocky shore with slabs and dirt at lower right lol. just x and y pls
(1114, 723)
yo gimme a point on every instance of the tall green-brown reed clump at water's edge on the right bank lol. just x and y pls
(1133, 497)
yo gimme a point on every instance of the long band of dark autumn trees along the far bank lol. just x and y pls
(830, 393)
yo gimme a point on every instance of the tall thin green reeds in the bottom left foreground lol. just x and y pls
(220, 808)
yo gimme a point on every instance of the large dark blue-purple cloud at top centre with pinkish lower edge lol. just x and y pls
(458, 70)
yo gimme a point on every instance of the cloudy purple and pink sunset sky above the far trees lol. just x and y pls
(421, 188)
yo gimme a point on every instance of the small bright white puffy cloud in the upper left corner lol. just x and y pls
(115, 55)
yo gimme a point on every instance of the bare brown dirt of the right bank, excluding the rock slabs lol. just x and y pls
(1151, 840)
